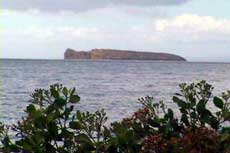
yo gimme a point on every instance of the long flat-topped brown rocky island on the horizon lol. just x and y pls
(120, 55)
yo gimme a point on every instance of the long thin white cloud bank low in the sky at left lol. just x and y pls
(51, 34)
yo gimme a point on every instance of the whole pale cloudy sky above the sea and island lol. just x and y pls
(198, 30)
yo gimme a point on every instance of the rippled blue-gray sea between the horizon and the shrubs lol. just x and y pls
(113, 85)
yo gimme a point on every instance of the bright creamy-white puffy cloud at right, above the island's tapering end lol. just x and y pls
(194, 23)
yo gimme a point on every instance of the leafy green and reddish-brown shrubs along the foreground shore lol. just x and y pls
(53, 125)
